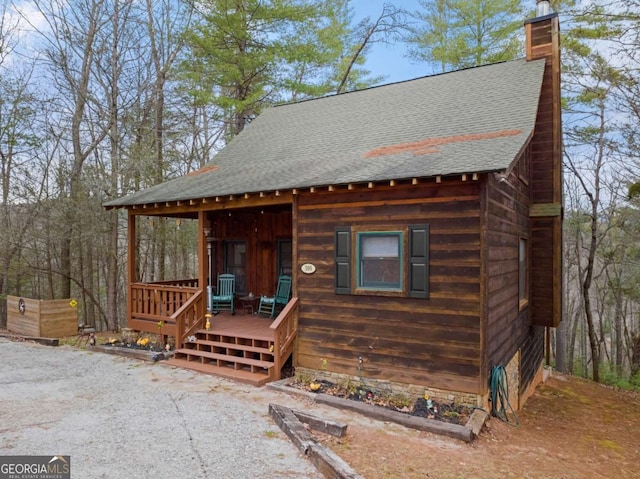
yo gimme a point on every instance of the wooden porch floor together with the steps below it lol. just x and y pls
(238, 347)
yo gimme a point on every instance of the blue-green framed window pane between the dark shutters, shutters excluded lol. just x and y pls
(379, 259)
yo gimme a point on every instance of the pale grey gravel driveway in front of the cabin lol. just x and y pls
(124, 418)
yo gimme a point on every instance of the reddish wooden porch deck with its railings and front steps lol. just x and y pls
(244, 346)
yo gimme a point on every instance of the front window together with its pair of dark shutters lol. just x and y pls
(384, 262)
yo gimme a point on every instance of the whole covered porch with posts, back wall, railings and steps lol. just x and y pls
(252, 243)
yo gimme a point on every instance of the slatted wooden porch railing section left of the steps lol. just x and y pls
(152, 303)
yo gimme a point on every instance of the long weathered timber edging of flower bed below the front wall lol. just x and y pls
(466, 433)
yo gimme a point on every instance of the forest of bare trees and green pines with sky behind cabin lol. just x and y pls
(101, 98)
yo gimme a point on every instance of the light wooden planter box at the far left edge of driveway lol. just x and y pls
(41, 318)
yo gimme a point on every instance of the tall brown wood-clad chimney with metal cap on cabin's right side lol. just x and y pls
(545, 213)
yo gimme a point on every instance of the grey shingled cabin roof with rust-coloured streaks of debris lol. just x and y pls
(468, 121)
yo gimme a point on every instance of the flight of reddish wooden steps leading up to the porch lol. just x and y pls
(245, 359)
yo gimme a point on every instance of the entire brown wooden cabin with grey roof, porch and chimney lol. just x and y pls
(421, 222)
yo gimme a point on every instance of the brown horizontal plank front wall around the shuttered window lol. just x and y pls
(432, 342)
